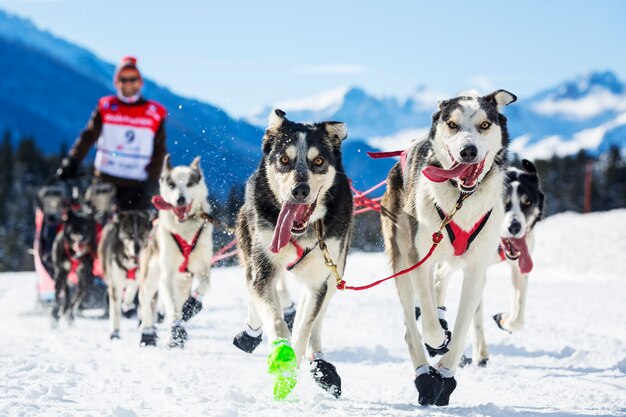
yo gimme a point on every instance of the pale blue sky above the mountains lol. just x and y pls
(245, 54)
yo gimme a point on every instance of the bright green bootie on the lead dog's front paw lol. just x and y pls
(281, 364)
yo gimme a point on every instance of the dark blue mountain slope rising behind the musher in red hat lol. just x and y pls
(49, 88)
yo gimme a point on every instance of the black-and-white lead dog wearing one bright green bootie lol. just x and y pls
(299, 190)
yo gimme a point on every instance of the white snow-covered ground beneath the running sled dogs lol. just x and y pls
(570, 360)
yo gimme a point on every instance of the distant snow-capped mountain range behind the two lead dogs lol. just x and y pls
(588, 112)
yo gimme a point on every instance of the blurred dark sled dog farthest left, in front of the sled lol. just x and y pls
(74, 245)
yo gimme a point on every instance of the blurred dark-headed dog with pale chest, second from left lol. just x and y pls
(121, 242)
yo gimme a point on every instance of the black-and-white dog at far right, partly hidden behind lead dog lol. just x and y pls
(523, 204)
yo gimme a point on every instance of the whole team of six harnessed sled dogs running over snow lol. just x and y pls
(297, 219)
